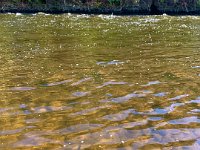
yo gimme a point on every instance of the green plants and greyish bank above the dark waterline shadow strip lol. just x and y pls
(116, 5)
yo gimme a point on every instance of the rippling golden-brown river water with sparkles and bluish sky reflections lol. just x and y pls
(99, 82)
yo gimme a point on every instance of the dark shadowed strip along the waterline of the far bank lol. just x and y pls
(99, 11)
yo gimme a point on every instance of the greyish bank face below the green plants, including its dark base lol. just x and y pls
(134, 9)
